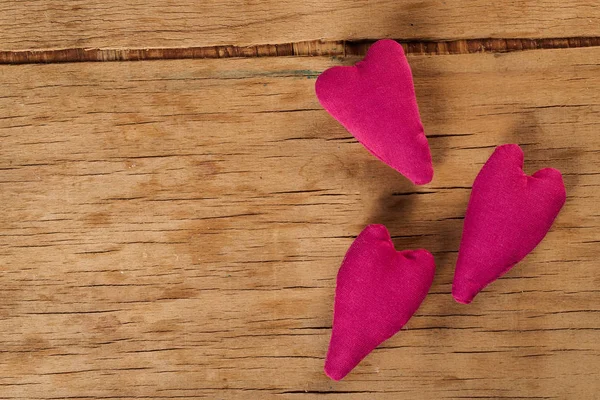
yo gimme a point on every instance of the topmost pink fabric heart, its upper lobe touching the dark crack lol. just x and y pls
(375, 101)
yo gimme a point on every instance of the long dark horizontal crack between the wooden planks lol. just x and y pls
(341, 48)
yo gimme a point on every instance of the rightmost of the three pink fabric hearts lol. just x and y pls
(508, 215)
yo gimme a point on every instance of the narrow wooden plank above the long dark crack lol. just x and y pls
(43, 24)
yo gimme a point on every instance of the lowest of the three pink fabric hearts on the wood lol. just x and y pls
(378, 290)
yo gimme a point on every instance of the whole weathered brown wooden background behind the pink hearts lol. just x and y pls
(172, 229)
